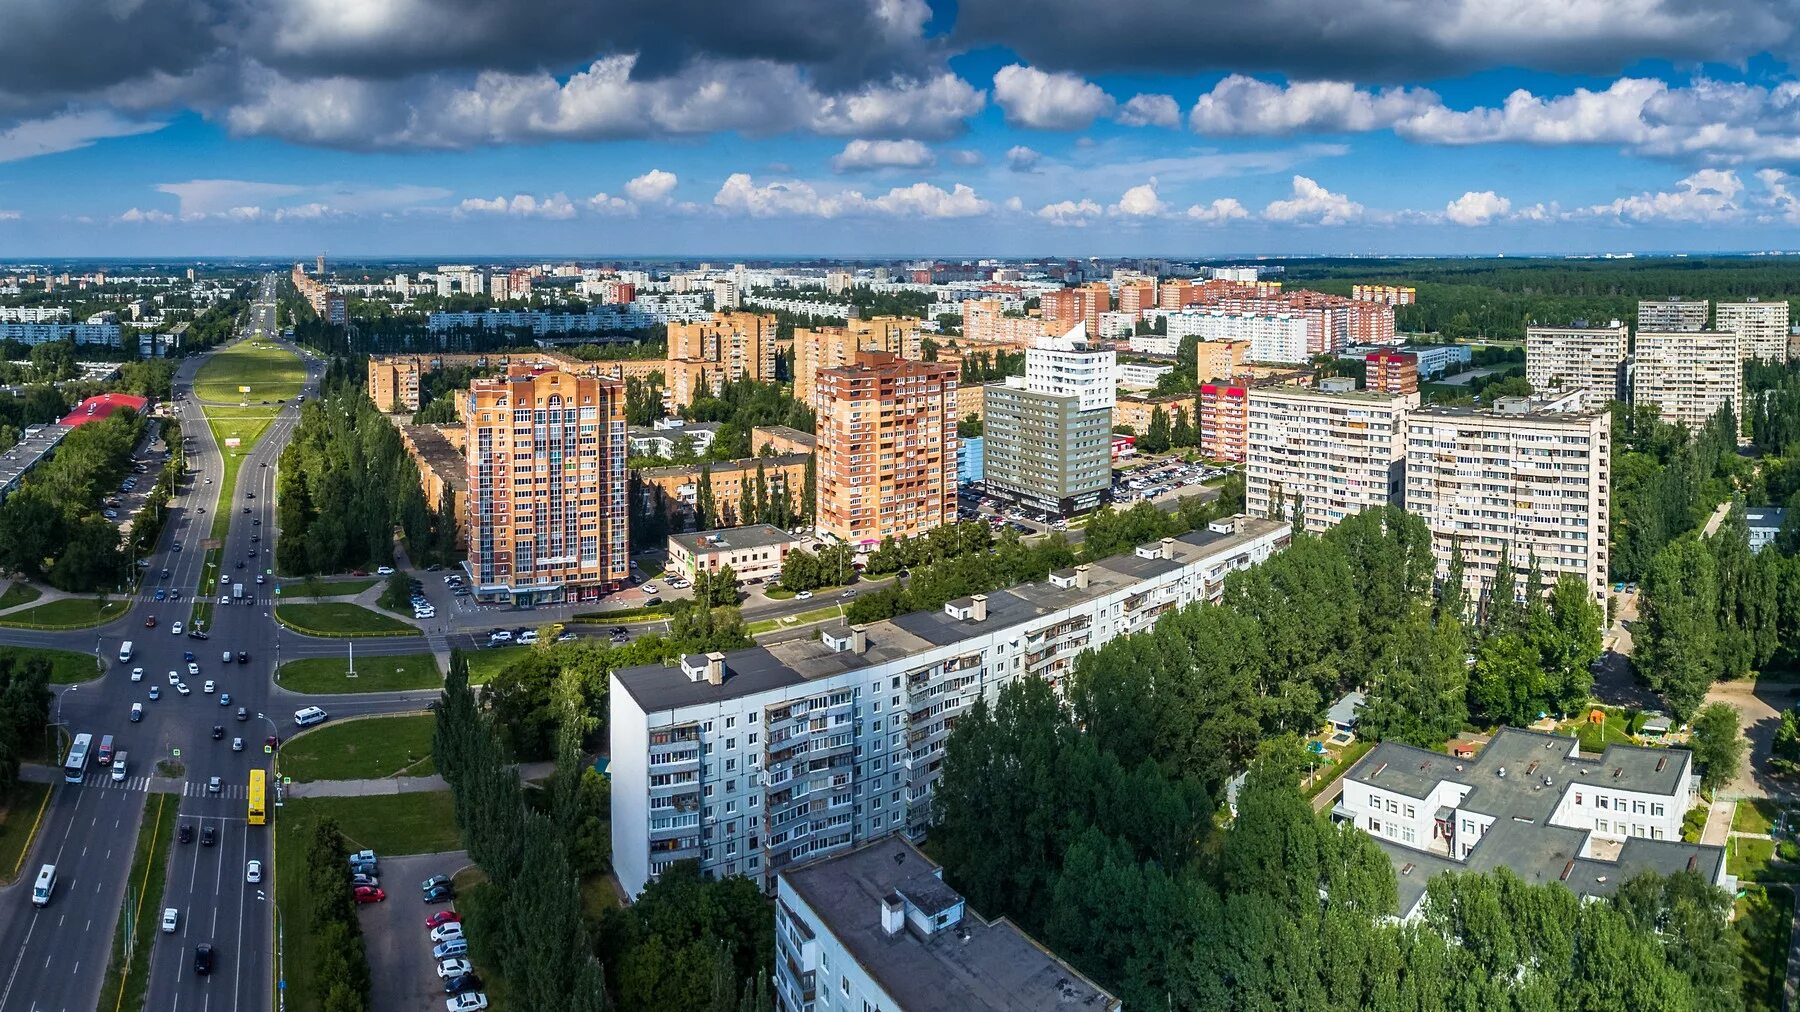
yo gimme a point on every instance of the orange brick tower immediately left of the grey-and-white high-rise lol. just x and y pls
(886, 447)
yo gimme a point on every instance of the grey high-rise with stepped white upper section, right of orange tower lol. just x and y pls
(1050, 433)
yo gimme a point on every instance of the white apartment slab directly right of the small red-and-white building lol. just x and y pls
(1331, 453)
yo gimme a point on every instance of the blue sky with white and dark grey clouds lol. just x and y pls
(894, 127)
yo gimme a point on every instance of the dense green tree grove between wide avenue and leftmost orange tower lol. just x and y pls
(346, 483)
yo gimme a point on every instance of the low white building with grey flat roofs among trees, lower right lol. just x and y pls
(1531, 804)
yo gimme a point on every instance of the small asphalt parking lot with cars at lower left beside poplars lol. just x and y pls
(404, 975)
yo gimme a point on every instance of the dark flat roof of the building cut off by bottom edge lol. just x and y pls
(969, 964)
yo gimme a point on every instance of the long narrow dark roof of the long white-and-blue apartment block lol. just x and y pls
(798, 662)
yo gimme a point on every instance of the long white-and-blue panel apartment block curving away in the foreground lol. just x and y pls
(751, 761)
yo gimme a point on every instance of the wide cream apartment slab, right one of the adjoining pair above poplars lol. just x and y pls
(1518, 478)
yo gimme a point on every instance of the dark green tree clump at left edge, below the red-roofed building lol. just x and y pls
(53, 529)
